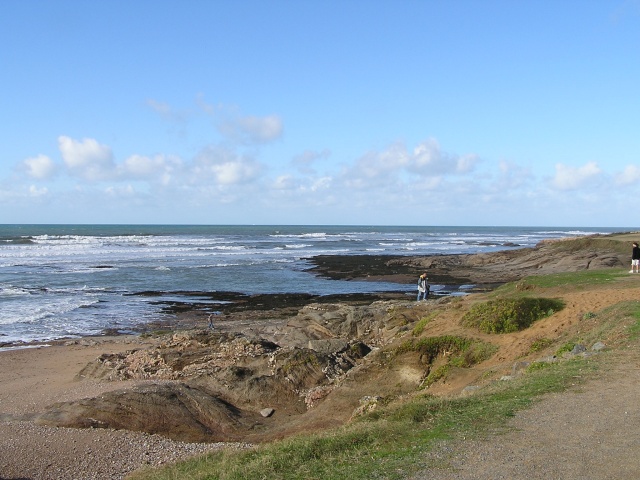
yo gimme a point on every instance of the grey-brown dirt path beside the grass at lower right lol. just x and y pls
(592, 432)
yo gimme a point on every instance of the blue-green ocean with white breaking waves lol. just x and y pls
(61, 281)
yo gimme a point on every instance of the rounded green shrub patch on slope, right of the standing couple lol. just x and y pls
(508, 315)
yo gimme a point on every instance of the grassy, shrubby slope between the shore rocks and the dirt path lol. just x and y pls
(403, 433)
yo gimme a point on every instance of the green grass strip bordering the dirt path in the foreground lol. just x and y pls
(389, 443)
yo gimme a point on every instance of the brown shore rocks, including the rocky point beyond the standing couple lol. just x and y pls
(322, 364)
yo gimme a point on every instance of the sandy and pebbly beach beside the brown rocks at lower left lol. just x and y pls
(33, 378)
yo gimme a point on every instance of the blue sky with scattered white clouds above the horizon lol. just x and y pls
(459, 112)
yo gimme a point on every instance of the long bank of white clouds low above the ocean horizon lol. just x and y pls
(232, 178)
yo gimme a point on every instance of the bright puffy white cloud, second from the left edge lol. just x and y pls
(87, 158)
